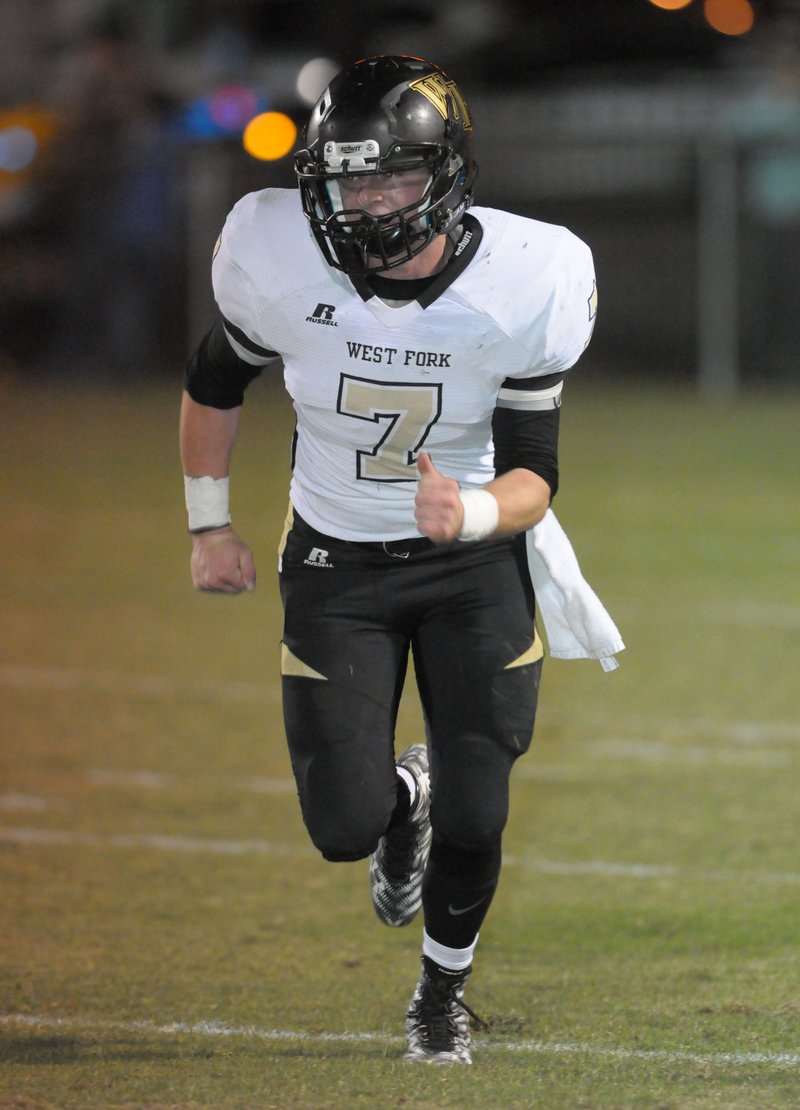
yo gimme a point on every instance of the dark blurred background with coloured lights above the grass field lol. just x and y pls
(664, 133)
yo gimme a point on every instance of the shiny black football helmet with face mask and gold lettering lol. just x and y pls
(386, 115)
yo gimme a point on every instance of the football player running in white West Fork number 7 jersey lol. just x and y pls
(424, 344)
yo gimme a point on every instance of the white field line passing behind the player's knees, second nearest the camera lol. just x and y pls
(157, 842)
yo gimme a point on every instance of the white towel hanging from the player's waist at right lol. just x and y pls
(576, 623)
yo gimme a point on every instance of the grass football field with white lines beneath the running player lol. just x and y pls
(168, 937)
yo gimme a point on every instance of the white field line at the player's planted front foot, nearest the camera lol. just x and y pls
(97, 1026)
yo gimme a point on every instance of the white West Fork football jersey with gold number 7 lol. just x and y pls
(373, 385)
